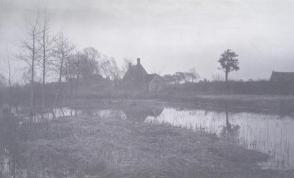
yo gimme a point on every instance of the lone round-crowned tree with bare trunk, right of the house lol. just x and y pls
(229, 62)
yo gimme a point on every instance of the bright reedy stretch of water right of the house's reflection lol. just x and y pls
(269, 134)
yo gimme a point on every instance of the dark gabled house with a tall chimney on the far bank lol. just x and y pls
(137, 78)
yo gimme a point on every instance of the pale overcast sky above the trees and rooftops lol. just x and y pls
(169, 35)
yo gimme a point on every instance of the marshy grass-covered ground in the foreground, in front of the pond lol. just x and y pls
(112, 147)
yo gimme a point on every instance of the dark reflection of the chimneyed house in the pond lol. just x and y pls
(139, 113)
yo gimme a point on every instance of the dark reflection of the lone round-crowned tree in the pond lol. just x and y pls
(229, 130)
